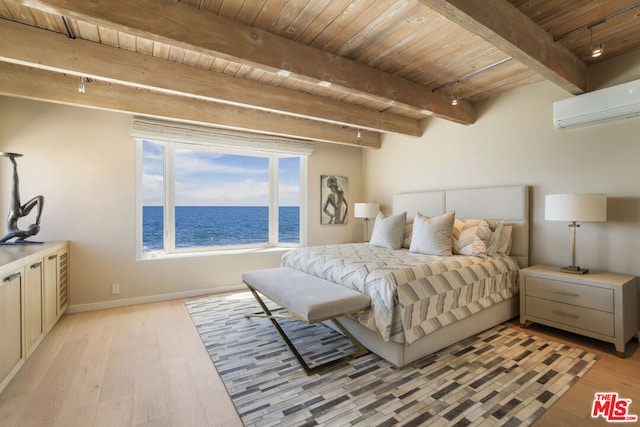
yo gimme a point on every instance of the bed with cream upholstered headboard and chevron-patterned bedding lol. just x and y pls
(421, 302)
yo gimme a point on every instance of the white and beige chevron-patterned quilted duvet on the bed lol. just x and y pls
(411, 294)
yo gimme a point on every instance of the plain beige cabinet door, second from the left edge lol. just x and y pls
(33, 305)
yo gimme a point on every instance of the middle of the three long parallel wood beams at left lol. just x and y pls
(42, 49)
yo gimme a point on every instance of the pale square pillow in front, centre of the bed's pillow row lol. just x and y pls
(432, 236)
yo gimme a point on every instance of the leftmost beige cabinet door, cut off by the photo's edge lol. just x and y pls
(10, 322)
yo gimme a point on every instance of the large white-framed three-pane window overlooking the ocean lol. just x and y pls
(203, 197)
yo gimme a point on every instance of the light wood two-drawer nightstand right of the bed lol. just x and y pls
(598, 305)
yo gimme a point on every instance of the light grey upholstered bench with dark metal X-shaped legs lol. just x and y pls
(309, 299)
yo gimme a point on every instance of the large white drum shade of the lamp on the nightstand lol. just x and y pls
(576, 207)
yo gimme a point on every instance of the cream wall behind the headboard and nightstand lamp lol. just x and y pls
(514, 142)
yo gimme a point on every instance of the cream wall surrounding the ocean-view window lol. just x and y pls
(83, 162)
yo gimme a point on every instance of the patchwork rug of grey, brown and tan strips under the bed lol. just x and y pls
(502, 376)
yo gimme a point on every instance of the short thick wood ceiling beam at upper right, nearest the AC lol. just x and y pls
(504, 26)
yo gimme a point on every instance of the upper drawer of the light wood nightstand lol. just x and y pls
(570, 293)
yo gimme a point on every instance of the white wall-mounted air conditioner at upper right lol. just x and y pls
(614, 102)
